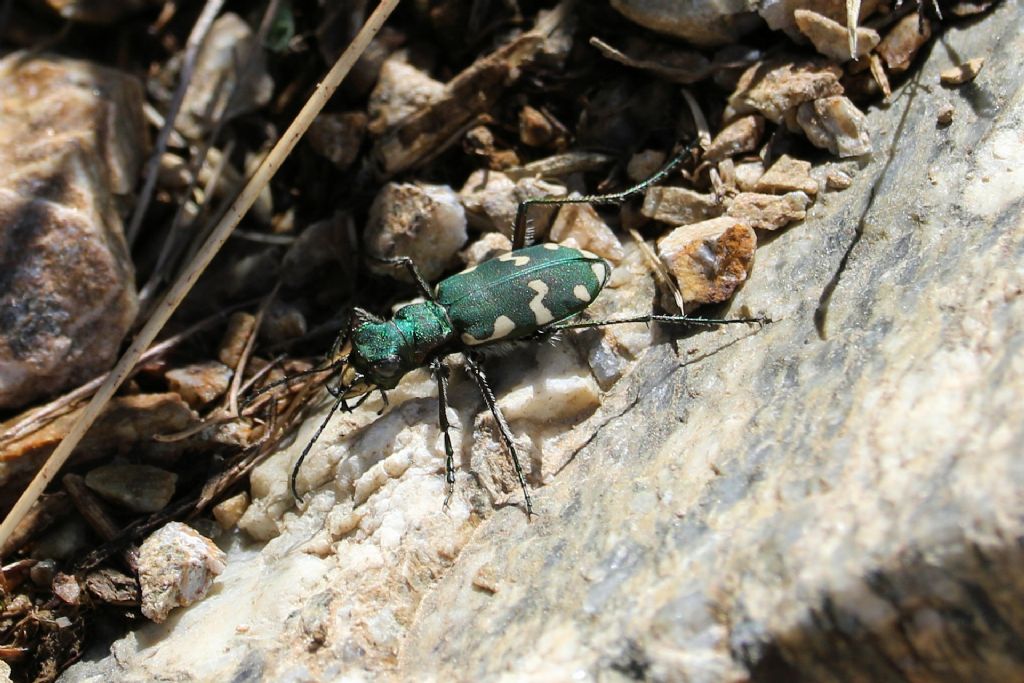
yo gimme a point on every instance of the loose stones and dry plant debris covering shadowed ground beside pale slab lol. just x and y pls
(451, 119)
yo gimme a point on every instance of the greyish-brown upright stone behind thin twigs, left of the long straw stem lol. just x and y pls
(231, 78)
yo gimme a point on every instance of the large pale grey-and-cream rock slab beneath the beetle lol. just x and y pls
(765, 505)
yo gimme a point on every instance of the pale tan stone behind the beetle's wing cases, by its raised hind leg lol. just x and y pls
(492, 200)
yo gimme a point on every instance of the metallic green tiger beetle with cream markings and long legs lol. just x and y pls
(528, 294)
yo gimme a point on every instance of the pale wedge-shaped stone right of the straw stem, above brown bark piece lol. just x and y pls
(401, 91)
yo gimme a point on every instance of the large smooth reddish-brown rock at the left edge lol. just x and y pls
(67, 286)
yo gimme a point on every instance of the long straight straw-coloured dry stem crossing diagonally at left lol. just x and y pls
(182, 287)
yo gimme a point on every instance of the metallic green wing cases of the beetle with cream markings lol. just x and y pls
(517, 294)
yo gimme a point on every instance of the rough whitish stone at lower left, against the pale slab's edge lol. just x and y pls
(177, 567)
